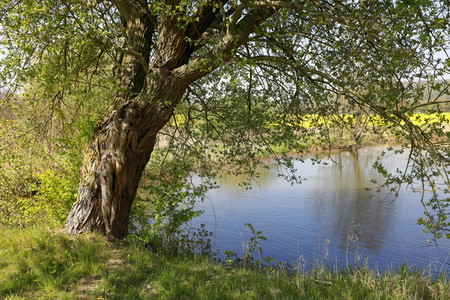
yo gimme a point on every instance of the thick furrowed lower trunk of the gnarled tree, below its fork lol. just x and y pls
(117, 156)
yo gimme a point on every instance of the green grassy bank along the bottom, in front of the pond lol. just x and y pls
(38, 263)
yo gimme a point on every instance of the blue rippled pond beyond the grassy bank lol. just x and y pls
(330, 217)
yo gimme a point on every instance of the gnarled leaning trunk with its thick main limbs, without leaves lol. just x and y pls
(122, 145)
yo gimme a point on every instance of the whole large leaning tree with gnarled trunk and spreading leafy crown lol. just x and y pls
(316, 57)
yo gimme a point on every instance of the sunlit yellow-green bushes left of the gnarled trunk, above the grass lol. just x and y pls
(40, 157)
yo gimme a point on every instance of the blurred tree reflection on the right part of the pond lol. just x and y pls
(340, 194)
